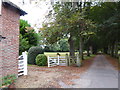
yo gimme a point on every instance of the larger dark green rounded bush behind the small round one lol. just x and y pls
(32, 53)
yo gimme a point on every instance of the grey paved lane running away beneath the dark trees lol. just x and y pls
(101, 74)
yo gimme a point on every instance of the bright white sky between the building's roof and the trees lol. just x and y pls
(36, 12)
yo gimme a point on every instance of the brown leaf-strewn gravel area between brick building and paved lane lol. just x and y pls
(44, 77)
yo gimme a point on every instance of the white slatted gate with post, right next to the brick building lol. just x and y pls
(22, 64)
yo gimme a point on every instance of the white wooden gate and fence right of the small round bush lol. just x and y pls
(58, 60)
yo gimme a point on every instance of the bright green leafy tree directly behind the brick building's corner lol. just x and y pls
(28, 36)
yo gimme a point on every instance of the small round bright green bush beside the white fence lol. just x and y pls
(41, 60)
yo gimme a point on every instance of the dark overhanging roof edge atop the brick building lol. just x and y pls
(9, 3)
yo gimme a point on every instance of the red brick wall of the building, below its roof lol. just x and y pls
(10, 45)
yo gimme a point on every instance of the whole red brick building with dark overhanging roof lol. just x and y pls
(9, 37)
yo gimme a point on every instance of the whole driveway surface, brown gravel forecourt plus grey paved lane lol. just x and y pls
(96, 72)
